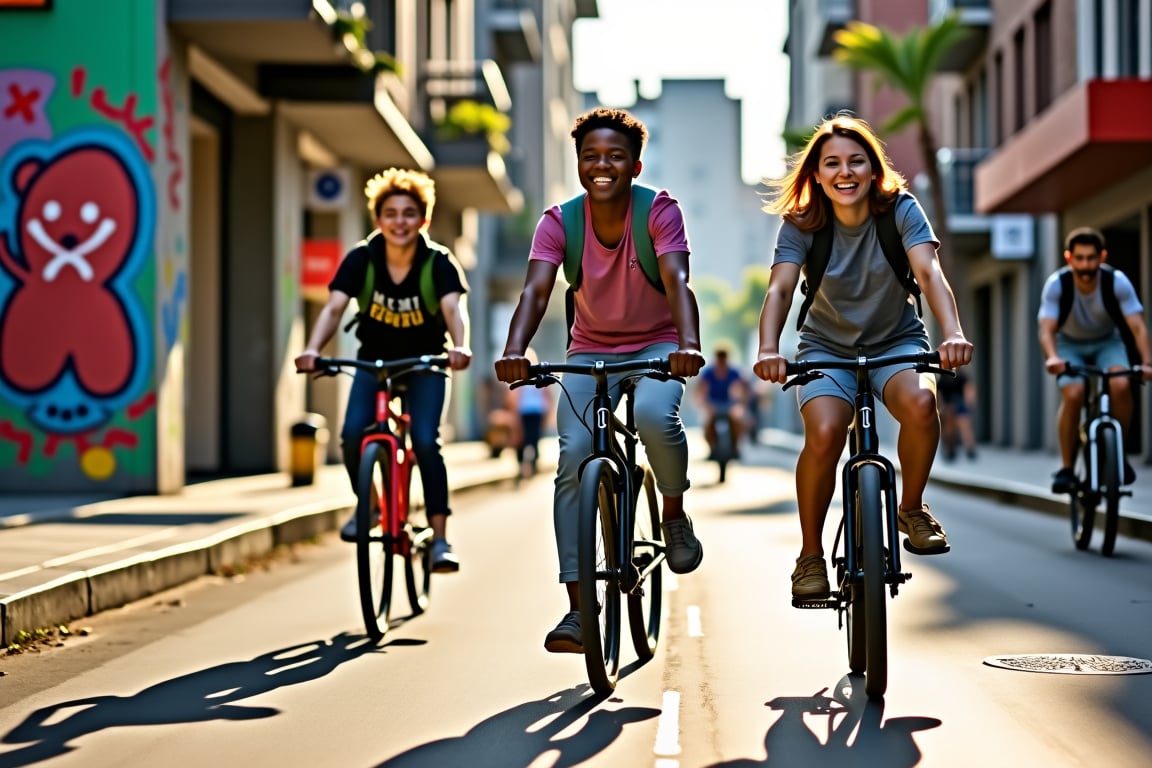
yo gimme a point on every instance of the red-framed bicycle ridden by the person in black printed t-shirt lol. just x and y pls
(384, 528)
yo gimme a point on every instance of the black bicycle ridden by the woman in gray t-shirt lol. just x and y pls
(870, 559)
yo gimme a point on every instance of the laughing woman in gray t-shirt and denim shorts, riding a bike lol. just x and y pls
(844, 178)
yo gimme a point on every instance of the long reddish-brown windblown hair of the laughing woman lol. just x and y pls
(801, 200)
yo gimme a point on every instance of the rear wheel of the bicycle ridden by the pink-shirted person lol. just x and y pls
(645, 610)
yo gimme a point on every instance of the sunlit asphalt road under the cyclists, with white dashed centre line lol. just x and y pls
(274, 670)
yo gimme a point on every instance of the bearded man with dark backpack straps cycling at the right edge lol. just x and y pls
(1090, 316)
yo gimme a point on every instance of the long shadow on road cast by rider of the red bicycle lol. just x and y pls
(209, 695)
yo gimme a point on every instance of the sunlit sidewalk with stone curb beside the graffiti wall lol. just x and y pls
(67, 557)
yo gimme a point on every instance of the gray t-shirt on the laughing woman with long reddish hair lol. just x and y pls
(861, 302)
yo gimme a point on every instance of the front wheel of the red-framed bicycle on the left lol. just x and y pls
(375, 561)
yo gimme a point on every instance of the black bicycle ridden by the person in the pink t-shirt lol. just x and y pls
(620, 545)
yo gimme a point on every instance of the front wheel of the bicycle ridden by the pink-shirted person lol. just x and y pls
(600, 591)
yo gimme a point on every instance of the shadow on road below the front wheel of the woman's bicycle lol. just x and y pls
(855, 734)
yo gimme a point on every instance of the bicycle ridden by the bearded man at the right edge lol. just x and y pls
(1100, 459)
